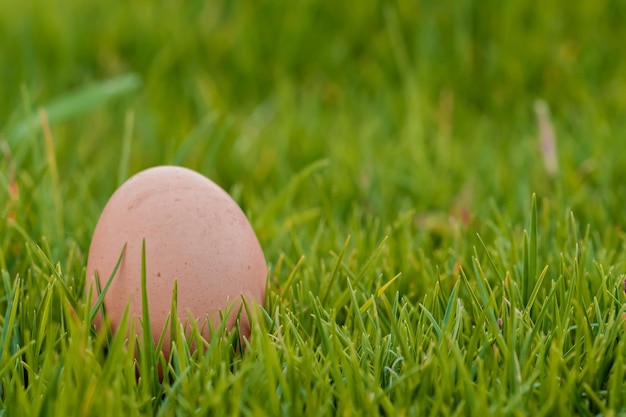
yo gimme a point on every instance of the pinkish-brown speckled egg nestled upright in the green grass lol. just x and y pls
(195, 235)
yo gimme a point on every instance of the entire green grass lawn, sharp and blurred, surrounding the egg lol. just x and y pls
(425, 256)
